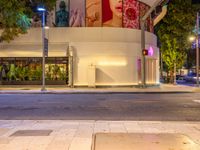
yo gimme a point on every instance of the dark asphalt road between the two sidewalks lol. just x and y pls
(154, 107)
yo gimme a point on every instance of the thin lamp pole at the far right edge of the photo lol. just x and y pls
(197, 50)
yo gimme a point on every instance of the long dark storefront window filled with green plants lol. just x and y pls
(30, 69)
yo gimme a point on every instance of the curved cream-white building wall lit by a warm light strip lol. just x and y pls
(114, 51)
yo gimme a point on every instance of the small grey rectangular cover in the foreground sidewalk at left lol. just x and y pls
(32, 133)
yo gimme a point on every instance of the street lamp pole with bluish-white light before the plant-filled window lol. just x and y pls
(43, 53)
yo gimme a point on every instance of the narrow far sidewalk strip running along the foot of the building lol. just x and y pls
(163, 88)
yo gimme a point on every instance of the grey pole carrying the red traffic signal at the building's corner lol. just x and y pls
(143, 74)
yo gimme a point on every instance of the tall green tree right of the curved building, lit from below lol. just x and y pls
(173, 32)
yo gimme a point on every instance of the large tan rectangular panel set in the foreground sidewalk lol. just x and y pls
(121, 141)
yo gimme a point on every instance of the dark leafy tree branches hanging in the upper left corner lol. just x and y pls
(15, 16)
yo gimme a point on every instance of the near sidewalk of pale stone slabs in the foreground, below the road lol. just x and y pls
(77, 135)
